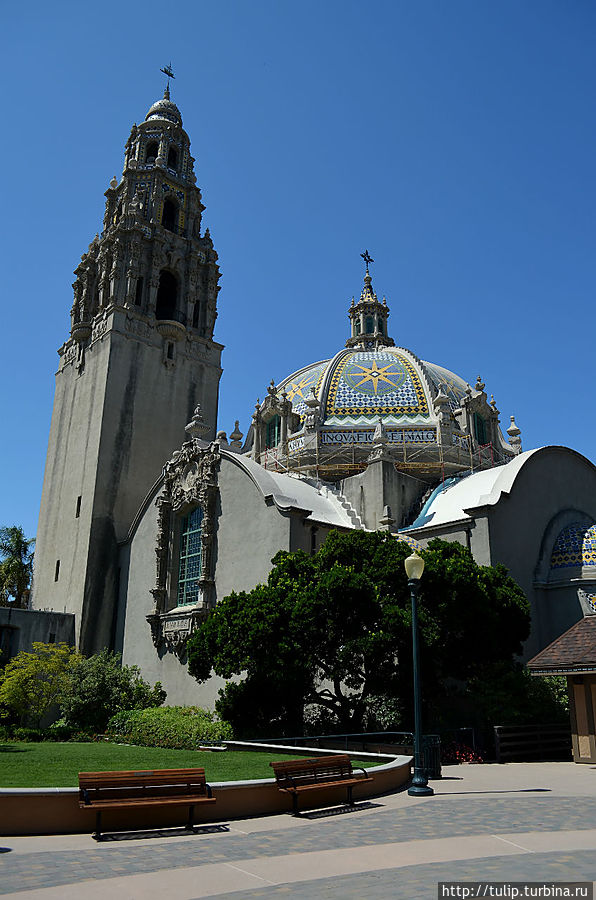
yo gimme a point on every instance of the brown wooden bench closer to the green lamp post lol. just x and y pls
(296, 776)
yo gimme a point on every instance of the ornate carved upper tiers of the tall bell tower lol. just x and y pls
(152, 260)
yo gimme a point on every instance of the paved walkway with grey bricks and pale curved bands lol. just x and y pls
(514, 822)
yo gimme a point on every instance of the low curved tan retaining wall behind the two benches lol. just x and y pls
(57, 811)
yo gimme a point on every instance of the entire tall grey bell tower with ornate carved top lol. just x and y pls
(139, 358)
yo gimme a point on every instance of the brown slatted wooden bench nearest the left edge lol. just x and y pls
(162, 787)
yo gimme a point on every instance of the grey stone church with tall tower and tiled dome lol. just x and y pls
(150, 515)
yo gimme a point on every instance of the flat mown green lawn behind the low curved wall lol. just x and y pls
(51, 764)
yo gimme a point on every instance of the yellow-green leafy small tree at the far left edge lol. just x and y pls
(34, 681)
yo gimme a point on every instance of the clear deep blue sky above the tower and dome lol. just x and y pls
(454, 140)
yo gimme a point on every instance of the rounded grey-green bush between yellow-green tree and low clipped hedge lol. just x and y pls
(99, 686)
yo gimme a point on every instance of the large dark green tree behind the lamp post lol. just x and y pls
(333, 632)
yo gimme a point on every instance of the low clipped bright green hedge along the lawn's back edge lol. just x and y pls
(174, 727)
